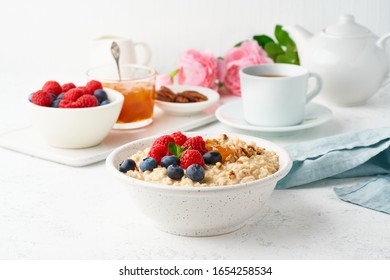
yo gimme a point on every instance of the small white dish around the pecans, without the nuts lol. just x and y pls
(188, 108)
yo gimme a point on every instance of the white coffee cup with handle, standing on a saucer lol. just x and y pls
(276, 94)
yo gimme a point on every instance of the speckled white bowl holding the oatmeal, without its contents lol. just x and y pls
(198, 211)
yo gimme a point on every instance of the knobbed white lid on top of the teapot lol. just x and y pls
(347, 27)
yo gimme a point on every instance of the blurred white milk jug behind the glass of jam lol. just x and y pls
(100, 51)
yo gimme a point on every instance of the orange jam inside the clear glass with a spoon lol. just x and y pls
(138, 100)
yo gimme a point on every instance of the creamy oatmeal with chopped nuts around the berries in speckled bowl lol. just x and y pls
(234, 161)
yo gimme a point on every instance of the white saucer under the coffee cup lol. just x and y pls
(232, 115)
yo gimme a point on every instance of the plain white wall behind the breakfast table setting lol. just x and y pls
(53, 37)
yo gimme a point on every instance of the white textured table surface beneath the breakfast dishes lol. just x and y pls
(53, 211)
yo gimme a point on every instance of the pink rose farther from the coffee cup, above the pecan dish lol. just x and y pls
(198, 69)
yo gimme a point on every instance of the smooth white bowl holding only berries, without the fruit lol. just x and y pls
(76, 128)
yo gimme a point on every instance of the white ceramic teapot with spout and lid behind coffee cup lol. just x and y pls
(350, 59)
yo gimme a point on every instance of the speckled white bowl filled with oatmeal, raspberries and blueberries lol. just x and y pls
(199, 184)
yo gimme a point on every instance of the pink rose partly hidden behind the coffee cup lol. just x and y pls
(249, 53)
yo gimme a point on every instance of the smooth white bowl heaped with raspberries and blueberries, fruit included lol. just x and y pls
(74, 117)
